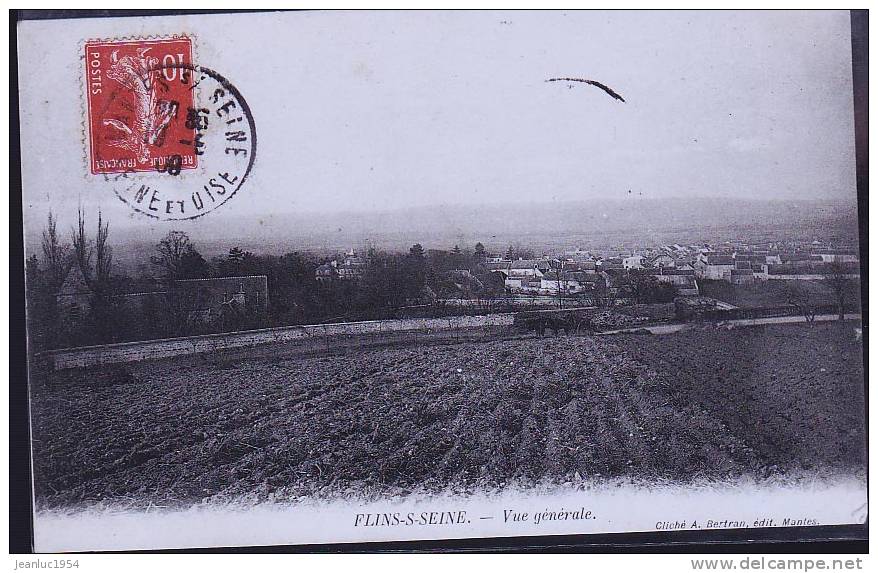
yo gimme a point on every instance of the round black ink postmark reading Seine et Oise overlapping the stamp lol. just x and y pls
(203, 141)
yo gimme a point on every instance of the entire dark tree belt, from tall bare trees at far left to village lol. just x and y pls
(388, 283)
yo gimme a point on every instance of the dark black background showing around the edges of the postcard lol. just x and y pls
(828, 539)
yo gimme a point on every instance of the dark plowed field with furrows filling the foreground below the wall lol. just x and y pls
(700, 404)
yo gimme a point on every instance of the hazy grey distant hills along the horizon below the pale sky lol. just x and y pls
(544, 227)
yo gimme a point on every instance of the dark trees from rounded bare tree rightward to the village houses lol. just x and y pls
(389, 281)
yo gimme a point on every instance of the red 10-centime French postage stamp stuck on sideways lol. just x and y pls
(139, 94)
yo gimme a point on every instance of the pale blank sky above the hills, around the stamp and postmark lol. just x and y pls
(373, 111)
